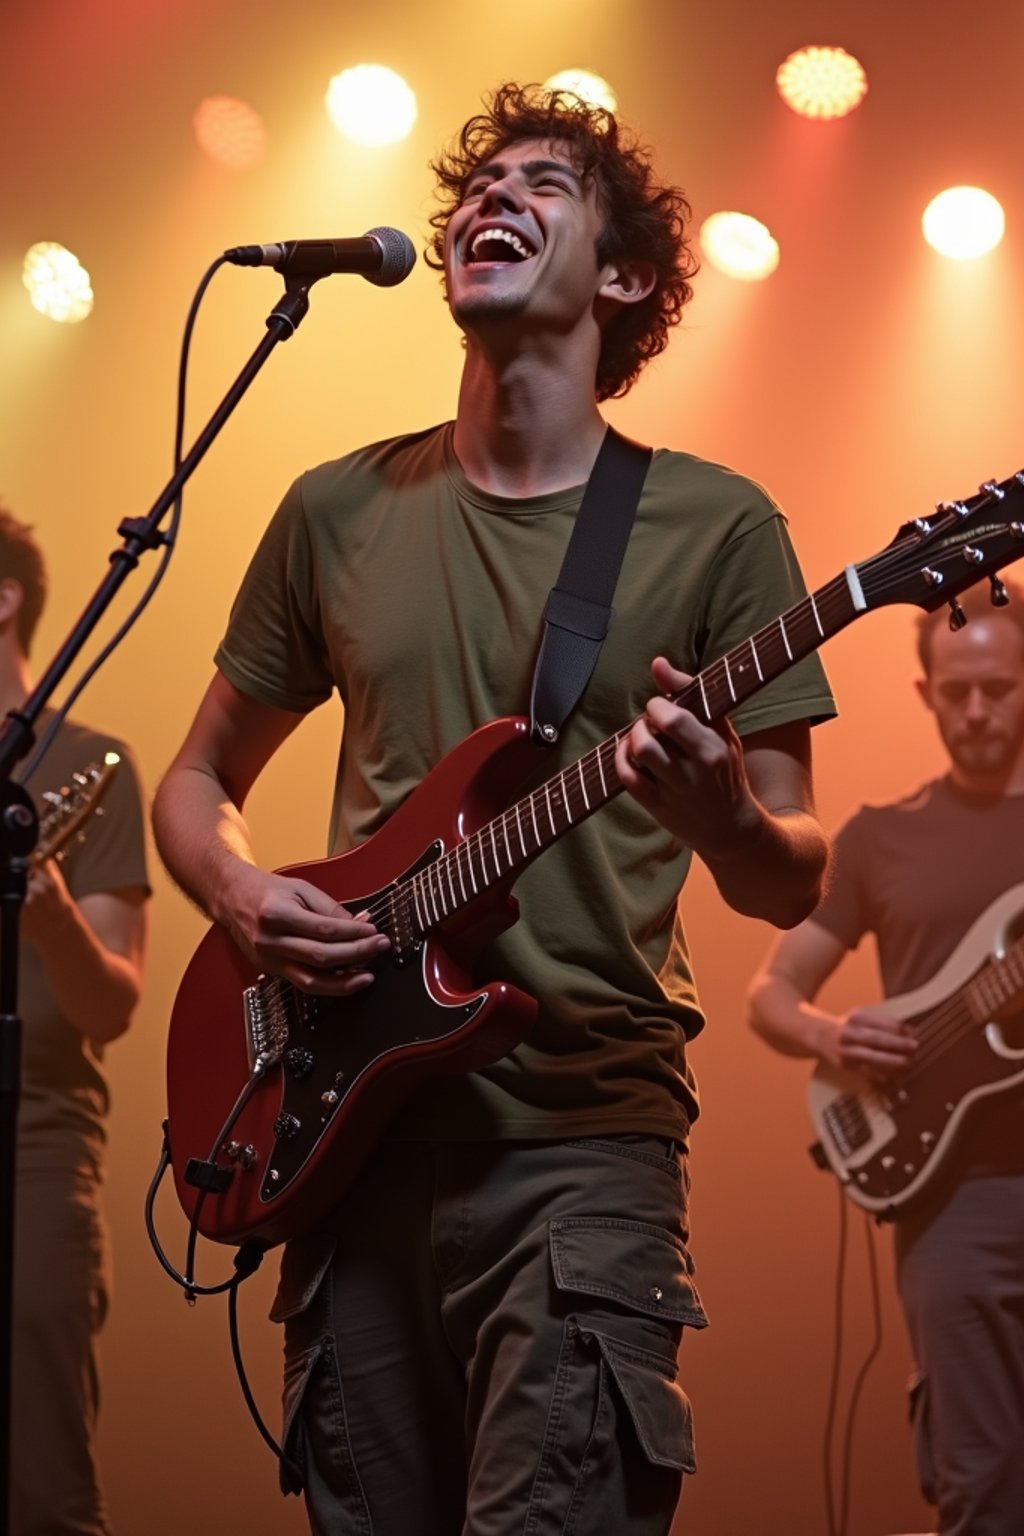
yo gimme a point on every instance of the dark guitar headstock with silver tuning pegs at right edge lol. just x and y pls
(933, 560)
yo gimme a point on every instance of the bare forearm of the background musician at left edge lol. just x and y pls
(96, 990)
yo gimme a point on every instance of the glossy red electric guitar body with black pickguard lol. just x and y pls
(345, 1065)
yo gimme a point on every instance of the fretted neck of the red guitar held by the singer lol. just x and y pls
(501, 850)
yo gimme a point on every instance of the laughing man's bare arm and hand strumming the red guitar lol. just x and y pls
(285, 925)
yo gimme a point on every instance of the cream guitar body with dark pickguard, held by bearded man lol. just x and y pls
(887, 1144)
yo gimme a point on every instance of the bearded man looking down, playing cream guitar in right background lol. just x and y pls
(919, 875)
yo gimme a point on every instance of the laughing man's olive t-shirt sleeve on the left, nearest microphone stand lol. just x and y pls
(274, 649)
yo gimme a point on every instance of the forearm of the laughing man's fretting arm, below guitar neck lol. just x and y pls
(775, 866)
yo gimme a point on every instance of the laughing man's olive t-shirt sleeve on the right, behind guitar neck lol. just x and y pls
(755, 580)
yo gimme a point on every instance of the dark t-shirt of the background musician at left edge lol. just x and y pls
(65, 1096)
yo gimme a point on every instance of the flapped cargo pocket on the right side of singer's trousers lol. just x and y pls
(641, 1280)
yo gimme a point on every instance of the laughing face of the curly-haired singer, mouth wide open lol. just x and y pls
(523, 242)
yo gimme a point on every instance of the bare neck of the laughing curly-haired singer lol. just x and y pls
(523, 428)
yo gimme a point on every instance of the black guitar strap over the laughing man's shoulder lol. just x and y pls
(578, 612)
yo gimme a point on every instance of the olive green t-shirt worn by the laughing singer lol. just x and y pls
(392, 578)
